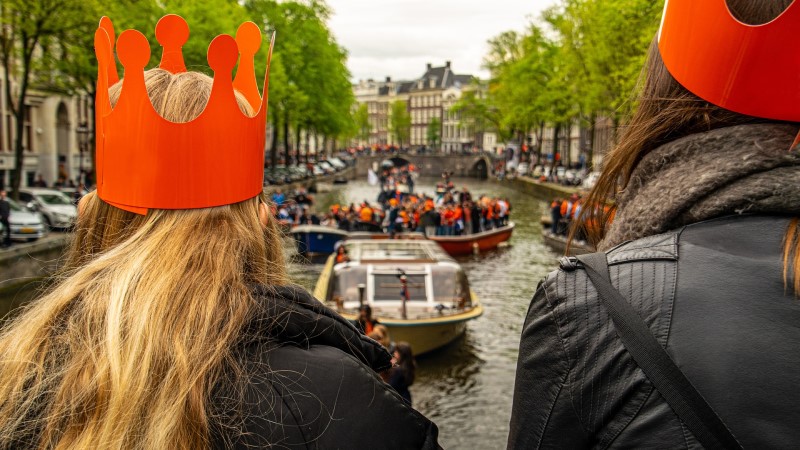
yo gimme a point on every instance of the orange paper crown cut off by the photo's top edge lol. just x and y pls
(748, 69)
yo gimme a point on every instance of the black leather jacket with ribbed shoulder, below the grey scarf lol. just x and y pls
(713, 294)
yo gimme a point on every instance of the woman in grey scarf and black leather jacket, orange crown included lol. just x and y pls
(704, 255)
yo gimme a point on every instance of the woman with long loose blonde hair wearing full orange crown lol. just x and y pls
(173, 324)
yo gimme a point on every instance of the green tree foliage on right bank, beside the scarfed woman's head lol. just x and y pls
(581, 59)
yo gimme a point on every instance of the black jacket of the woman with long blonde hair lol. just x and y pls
(311, 384)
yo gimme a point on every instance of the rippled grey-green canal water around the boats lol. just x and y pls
(466, 388)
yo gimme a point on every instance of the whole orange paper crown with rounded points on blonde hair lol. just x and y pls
(145, 161)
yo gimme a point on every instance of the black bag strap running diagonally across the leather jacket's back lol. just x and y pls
(656, 364)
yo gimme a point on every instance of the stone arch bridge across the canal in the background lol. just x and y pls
(478, 165)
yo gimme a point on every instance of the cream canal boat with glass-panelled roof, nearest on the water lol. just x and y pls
(413, 287)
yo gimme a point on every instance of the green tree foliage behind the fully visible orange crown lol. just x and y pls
(48, 45)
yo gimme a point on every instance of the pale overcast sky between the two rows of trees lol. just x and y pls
(398, 37)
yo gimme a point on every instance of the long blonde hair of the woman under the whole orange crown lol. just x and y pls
(124, 350)
